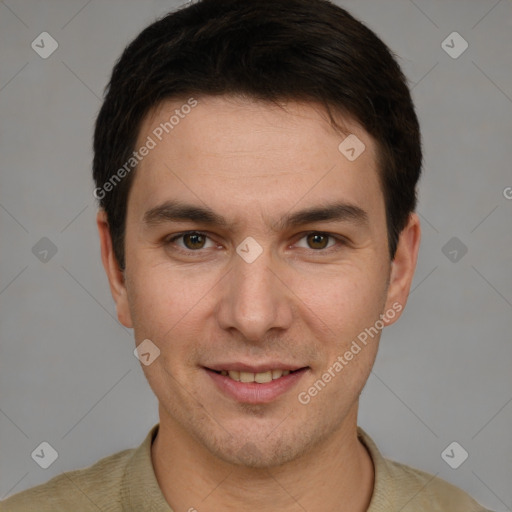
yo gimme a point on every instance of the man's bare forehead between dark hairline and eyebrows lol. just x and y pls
(230, 152)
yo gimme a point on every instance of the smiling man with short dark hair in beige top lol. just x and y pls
(256, 164)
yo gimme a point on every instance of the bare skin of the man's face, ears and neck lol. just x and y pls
(298, 302)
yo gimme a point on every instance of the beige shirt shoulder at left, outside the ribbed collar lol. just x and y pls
(93, 488)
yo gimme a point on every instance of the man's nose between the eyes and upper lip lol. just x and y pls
(256, 298)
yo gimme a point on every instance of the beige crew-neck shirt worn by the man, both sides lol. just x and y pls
(126, 481)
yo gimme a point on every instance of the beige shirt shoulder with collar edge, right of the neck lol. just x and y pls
(401, 487)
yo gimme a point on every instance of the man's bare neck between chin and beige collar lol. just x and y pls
(337, 475)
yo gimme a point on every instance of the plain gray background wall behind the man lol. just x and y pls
(68, 375)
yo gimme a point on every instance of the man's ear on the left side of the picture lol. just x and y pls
(115, 275)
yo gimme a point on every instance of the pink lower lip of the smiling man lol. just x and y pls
(252, 392)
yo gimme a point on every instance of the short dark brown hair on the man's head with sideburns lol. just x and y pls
(271, 50)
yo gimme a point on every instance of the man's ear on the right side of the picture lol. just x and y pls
(402, 268)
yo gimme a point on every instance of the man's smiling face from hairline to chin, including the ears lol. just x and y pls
(255, 249)
